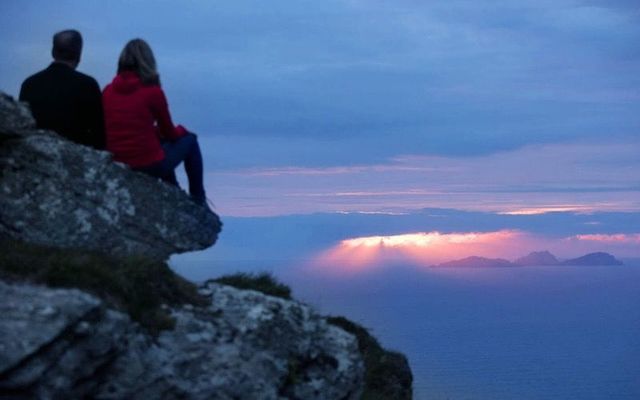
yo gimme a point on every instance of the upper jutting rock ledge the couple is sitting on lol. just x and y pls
(58, 193)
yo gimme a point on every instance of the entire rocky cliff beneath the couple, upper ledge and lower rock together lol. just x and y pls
(88, 309)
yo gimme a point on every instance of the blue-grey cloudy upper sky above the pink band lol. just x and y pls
(456, 78)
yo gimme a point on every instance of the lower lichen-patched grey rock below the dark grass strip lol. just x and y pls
(65, 344)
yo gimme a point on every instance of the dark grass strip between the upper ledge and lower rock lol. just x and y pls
(135, 285)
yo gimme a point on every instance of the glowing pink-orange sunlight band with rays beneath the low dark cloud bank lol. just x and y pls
(424, 249)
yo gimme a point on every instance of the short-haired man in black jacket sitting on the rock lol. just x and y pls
(63, 99)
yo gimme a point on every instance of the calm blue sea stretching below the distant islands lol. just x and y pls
(503, 333)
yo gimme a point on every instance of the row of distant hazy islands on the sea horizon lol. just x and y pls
(536, 258)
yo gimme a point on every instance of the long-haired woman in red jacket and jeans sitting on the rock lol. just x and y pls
(138, 125)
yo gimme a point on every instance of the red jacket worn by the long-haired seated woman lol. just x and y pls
(136, 118)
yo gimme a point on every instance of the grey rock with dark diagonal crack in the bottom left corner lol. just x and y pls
(55, 343)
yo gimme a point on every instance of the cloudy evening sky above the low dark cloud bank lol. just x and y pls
(347, 106)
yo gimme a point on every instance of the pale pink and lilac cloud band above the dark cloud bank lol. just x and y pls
(532, 180)
